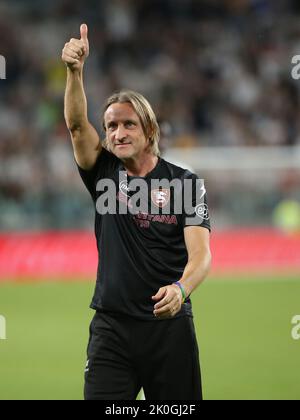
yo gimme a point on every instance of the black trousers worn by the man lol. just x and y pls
(125, 354)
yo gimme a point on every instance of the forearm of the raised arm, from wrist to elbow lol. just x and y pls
(75, 101)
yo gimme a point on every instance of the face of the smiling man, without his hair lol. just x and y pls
(124, 132)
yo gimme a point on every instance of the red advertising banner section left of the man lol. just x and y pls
(48, 255)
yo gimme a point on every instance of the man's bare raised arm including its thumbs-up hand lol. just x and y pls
(85, 139)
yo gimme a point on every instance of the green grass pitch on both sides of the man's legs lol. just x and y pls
(243, 326)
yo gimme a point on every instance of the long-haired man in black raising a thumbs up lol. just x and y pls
(142, 334)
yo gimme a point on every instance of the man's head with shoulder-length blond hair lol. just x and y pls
(130, 125)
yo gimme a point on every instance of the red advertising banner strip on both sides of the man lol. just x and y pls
(73, 255)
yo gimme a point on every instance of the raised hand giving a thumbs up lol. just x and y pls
(76, 51)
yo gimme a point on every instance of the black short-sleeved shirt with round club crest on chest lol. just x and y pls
(143, 250)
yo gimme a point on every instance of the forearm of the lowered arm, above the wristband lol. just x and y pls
(196, 271)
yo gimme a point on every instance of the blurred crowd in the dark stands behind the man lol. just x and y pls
(217, 72)
